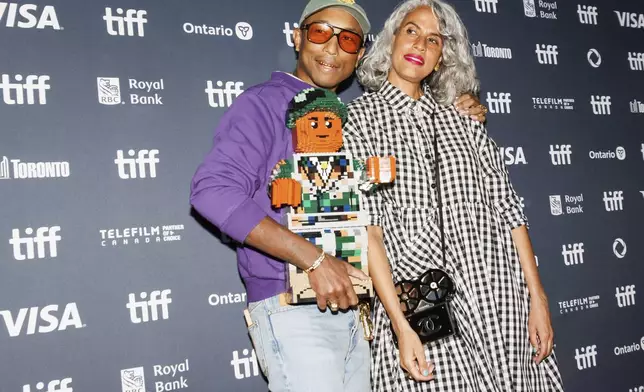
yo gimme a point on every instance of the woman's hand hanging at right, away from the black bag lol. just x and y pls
(540, 327)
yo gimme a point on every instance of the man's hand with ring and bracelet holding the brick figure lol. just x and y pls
(332, 284)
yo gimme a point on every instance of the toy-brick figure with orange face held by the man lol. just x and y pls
(320, 184)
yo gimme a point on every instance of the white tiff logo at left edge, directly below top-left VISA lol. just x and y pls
(33, 84)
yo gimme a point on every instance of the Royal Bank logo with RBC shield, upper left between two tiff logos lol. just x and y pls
(140, 92)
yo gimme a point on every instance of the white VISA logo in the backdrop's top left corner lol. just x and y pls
(29, 16)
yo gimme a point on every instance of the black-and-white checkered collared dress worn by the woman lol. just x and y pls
(491, 306)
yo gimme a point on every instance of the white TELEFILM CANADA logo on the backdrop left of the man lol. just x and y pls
(122, 237)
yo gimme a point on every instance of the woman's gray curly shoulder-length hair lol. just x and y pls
(457, 74)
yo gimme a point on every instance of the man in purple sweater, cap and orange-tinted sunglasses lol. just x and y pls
(299, 348)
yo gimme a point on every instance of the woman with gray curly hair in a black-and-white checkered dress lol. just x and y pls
(418, 64)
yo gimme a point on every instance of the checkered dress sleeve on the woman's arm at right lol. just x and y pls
(498, 186)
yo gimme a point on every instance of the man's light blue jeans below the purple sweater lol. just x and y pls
(301, 349)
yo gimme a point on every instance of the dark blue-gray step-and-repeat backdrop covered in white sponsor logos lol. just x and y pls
(109, 282)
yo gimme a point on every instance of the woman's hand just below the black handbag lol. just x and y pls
(412, 355)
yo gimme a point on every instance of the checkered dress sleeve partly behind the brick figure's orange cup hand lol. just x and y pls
(357, 141)
